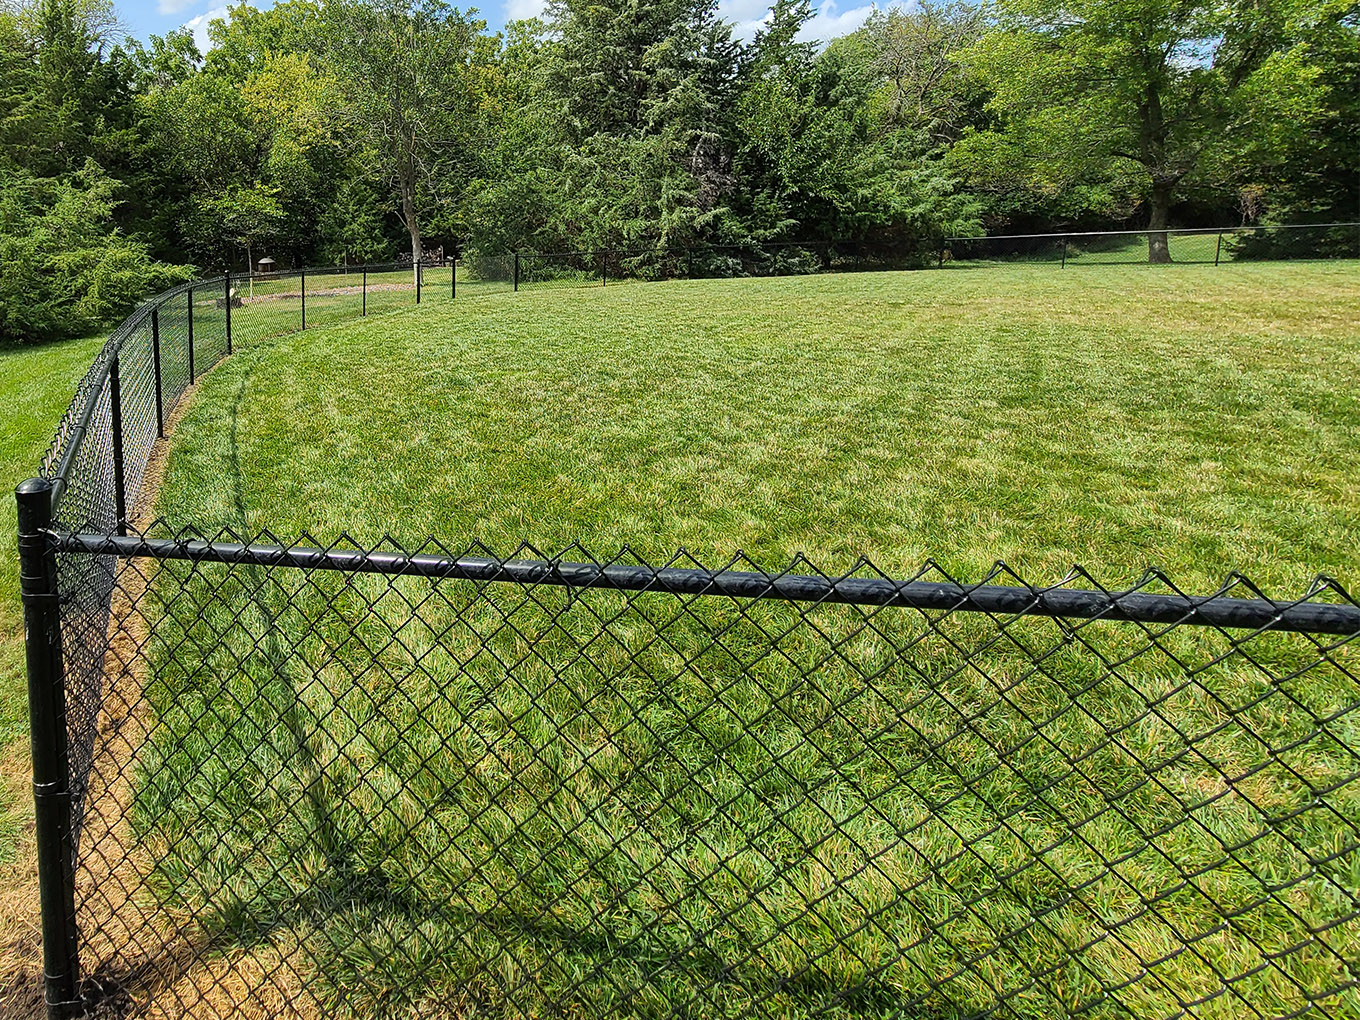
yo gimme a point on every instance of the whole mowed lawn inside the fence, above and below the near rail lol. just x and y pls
(490, 798)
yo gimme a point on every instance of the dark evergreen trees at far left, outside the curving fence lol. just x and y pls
(69, 126)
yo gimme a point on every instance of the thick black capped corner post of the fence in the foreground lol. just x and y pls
(51, 762)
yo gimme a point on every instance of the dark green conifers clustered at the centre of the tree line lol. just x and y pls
(671, 133)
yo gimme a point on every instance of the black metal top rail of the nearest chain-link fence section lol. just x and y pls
(1127, 606)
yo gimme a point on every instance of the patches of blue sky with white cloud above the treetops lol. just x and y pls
(142, 18)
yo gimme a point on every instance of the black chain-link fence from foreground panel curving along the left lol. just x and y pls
(311, 780)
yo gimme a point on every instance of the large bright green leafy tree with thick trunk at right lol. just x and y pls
(1139, 101)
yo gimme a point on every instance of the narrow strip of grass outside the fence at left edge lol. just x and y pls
(36, 386)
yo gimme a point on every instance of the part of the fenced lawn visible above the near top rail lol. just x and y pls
(1116, 418)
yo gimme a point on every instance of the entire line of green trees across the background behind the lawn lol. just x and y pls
(354, 131)
